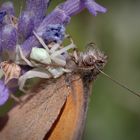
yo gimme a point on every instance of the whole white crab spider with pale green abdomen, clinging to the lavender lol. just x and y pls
(54, 55)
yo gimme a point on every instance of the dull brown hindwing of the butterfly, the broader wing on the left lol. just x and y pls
(35, 118)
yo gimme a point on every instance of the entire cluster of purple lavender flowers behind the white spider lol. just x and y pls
(51, 28)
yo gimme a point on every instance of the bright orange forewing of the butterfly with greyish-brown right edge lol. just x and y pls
(70, 123)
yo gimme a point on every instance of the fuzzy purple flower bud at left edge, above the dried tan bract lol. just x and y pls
(9, 40)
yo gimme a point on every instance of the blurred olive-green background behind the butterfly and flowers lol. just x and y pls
(113, 113)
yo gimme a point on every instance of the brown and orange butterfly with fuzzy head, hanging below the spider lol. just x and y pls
(59, 106)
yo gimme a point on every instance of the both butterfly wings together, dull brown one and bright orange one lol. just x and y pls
(56, 112)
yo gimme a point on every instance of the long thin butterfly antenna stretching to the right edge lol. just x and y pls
(118, 83)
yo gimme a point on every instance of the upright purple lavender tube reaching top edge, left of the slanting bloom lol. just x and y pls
(32, 16)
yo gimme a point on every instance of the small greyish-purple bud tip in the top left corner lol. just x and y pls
(8, 7)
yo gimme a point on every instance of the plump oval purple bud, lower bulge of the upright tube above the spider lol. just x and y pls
(25, 25)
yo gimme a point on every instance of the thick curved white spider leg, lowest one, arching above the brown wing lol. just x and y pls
(31, 74)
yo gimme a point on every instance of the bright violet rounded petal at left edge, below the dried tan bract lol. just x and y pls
(4, 93)
